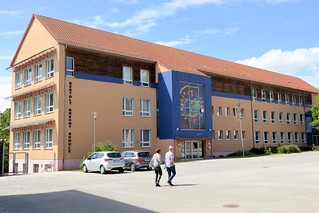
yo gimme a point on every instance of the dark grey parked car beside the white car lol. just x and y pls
(137, 160)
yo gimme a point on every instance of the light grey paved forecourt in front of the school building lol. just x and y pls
(280, 183)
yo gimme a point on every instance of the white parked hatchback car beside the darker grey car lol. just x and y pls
(104, 161)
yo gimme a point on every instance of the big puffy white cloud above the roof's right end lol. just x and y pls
(303, 63)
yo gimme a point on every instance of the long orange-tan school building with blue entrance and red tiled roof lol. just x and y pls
(146, 96)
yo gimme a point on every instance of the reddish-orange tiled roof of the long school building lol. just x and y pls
(170, 58)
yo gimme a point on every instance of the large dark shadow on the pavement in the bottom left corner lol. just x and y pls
(63, 201)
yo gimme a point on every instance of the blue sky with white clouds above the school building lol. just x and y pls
(276, 35)
